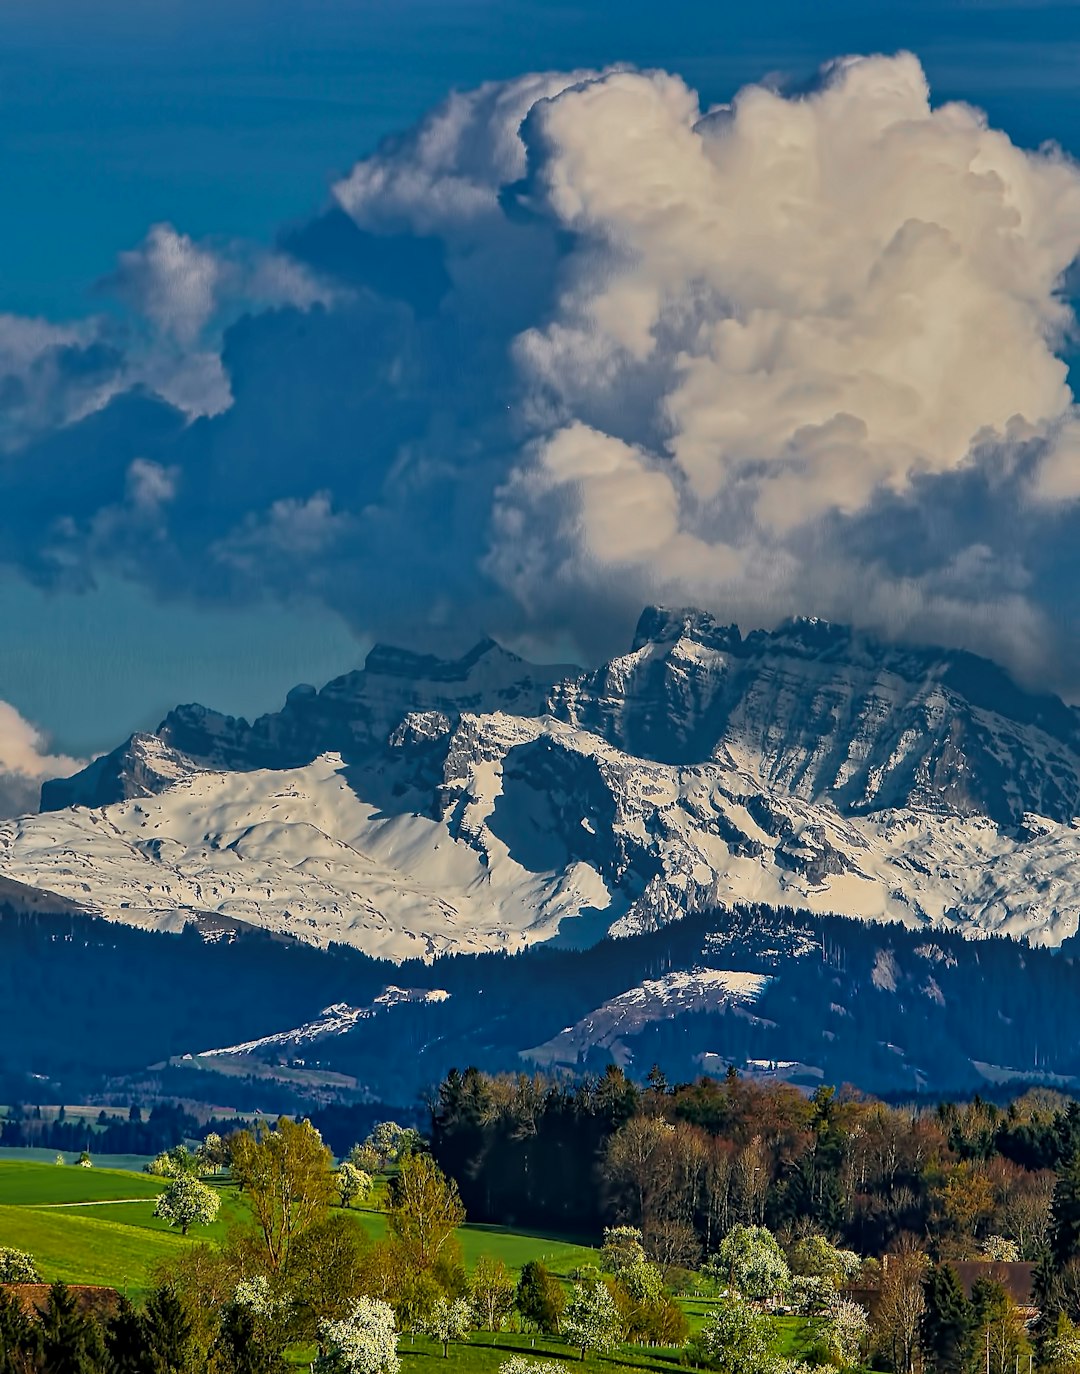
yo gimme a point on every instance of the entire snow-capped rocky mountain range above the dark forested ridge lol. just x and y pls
(421, 807)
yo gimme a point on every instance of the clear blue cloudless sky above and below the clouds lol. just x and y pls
(230, 120)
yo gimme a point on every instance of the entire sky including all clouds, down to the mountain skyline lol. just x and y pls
(299, 351)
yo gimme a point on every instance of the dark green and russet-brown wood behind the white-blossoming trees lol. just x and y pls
(685, 1163)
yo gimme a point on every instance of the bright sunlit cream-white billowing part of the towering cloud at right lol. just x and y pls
(817, 300)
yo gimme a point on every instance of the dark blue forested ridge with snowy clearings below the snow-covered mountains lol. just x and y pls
(892, 1011)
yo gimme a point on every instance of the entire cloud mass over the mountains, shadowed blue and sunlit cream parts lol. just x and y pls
(574, 344)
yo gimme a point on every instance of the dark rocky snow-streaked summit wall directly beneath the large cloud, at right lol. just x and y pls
(828, 715)
